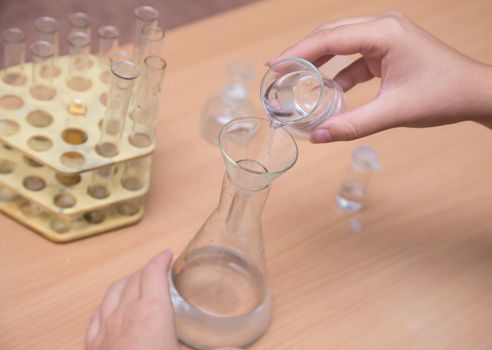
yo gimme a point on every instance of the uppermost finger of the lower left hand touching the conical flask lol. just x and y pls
(153, 280)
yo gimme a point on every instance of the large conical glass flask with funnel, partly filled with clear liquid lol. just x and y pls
(219, 285)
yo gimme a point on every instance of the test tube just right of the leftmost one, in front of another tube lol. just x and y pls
(42, 86)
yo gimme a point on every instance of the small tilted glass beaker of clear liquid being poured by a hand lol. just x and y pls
(297, 96)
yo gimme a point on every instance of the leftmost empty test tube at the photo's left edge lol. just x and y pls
(14, 52)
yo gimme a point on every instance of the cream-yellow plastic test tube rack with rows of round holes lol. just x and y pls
(48, 156)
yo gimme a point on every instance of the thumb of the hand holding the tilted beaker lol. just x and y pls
(378, 115)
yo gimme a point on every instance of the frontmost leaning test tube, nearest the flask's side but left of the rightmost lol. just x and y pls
(123, 78)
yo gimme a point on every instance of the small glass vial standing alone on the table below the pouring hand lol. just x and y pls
(352, 192)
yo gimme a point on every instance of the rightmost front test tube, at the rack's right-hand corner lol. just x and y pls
(146, 101)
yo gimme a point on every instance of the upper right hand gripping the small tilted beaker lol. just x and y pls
(424, 82)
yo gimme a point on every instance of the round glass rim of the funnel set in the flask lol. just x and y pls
(269, 173)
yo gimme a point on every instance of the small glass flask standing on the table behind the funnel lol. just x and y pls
(232, 103)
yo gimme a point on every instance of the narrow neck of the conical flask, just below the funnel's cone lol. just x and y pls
(239, 207)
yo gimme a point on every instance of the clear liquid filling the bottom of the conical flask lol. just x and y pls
(220, 297)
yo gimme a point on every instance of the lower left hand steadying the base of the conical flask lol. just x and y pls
(136, 312)
